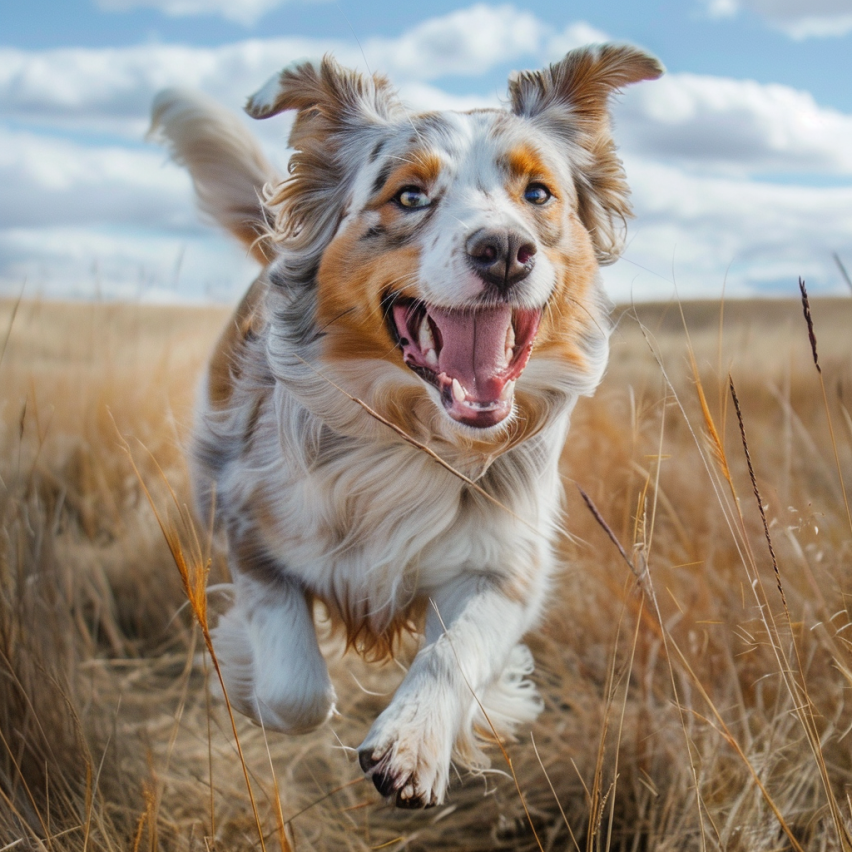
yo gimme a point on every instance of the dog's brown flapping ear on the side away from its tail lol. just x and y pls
(571, 100)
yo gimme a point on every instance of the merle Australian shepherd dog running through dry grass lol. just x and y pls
(381, 422)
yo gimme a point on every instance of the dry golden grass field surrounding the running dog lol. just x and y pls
(697, 687)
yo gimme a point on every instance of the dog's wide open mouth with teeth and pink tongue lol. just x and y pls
(472, 356)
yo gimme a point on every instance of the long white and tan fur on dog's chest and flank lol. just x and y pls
(370, 526)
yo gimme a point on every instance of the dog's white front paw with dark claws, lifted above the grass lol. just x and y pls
(407, 756)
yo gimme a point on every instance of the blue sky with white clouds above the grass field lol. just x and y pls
(739, 158)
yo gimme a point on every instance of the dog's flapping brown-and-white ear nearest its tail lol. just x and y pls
(341, 115)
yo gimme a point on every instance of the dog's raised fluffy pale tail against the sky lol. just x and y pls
(228, 168)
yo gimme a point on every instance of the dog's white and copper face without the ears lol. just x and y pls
(457, 237)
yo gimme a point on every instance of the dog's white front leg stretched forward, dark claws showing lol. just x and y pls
(472, 627)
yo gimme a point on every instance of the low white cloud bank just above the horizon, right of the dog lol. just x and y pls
(698, 231)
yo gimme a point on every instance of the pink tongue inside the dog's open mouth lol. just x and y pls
(473, 348)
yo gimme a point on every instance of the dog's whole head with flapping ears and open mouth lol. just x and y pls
(461, 248)
